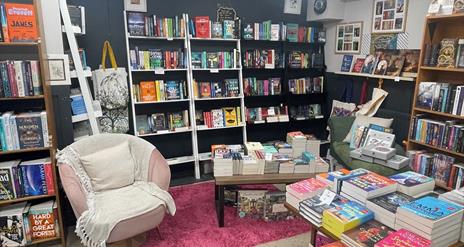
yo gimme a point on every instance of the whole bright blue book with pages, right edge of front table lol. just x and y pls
(430, 211)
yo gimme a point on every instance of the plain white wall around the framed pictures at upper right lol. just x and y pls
(361, 10)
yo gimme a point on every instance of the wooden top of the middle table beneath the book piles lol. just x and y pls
(279, 178)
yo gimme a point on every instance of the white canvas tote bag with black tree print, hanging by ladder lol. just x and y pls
(111, 90)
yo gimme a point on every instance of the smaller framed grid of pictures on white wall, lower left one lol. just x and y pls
(348, 37)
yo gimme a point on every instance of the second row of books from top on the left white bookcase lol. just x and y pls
(157, 59)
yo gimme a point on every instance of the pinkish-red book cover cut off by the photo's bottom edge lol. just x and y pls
(403, 238)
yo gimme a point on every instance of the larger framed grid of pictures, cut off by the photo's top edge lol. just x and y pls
(389, 16)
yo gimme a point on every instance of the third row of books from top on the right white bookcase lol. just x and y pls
(227, 88)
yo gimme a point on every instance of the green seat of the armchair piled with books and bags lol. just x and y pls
(341, 152)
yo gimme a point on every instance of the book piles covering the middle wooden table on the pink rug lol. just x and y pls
(300, 154)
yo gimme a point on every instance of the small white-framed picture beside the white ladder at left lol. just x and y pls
(58, 69)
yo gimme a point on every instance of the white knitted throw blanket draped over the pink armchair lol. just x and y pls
(107, 208)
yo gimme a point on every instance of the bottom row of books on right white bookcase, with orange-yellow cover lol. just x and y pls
(218, 118)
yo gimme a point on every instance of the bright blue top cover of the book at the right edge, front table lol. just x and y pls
(431, 208)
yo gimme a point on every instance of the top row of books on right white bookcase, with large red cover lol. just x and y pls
(202, 27)
